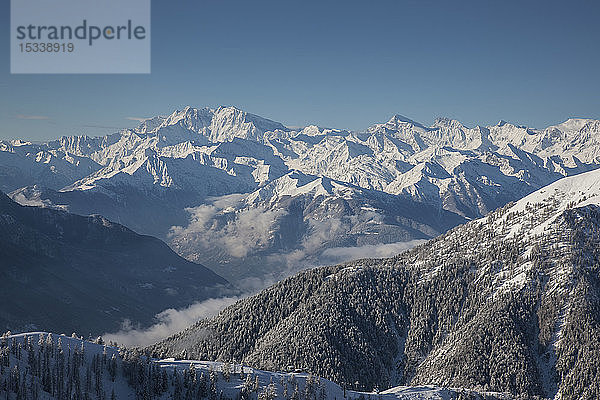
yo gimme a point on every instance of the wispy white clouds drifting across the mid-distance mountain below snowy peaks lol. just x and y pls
(238, 231)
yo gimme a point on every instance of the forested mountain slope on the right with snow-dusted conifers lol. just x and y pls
(509, 302)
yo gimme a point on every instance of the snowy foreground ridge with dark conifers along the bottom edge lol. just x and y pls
(40, 365)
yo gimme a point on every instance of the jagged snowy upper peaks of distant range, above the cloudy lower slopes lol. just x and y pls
(225, 150)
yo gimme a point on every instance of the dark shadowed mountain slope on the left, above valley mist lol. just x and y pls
(71, 273)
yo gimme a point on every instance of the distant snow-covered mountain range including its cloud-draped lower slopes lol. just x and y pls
(272, 191)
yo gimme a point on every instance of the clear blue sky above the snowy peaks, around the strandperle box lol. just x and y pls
(344, 64)
